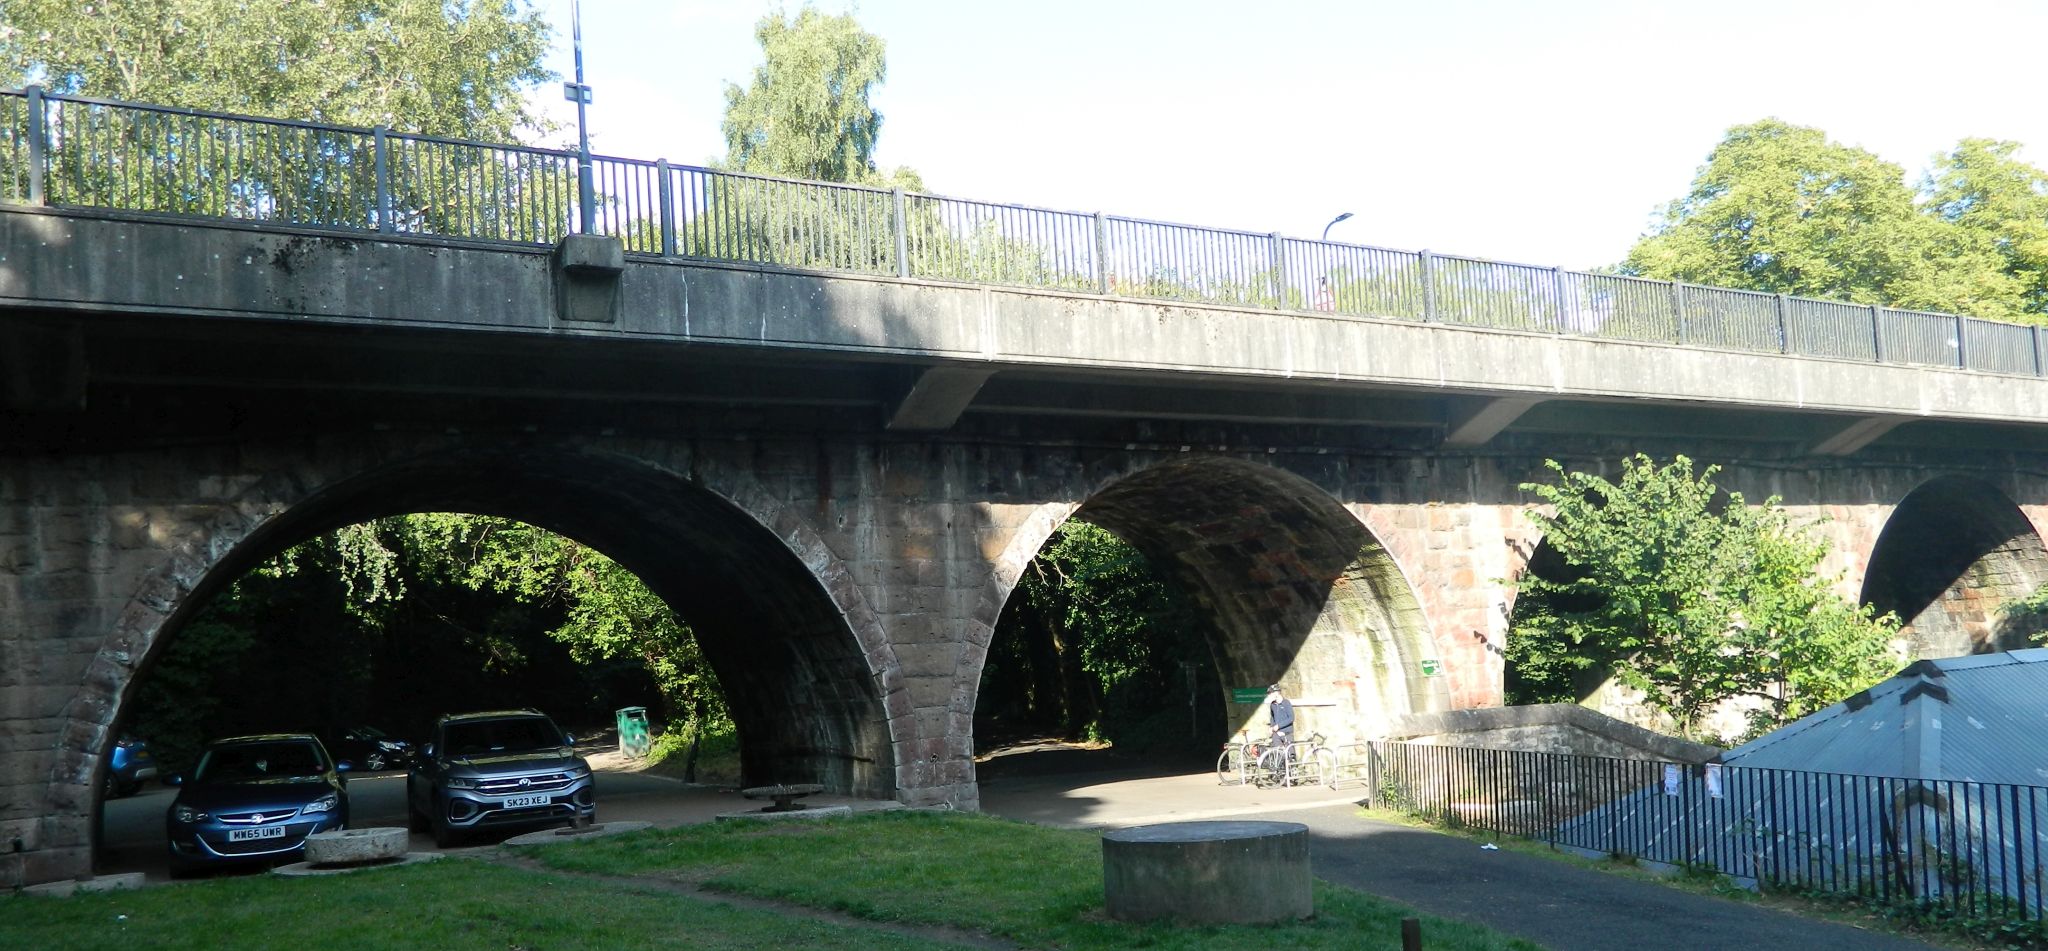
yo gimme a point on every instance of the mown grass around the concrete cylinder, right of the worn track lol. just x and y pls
(1027, 884)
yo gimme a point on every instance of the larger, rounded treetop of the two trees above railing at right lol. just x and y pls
(1781, 208)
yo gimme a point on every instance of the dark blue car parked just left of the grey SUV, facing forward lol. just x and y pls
(255, 798)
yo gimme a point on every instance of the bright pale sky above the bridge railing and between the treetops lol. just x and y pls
(1533, 132)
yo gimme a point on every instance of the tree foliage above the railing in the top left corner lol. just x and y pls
(431, 67)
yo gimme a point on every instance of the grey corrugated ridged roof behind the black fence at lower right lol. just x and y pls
(1981, 718)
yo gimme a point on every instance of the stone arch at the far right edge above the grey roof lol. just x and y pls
(1953, 554)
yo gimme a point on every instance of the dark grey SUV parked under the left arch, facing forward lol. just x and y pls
(497, 772)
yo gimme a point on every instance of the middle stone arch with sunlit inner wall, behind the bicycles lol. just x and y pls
(1299, 589)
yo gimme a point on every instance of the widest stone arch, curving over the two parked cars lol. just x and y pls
(804, 659)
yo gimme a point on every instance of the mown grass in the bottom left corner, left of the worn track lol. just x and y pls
(447, 905)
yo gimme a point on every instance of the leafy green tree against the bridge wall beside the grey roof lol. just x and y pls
(1689, 595)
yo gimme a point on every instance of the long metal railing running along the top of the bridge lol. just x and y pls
(138, 159)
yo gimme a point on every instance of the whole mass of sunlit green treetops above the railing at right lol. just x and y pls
(1781, 208)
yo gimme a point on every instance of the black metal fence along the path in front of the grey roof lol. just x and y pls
(1969, 847)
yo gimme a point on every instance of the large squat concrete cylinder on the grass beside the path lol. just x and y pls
(1207, 872)
